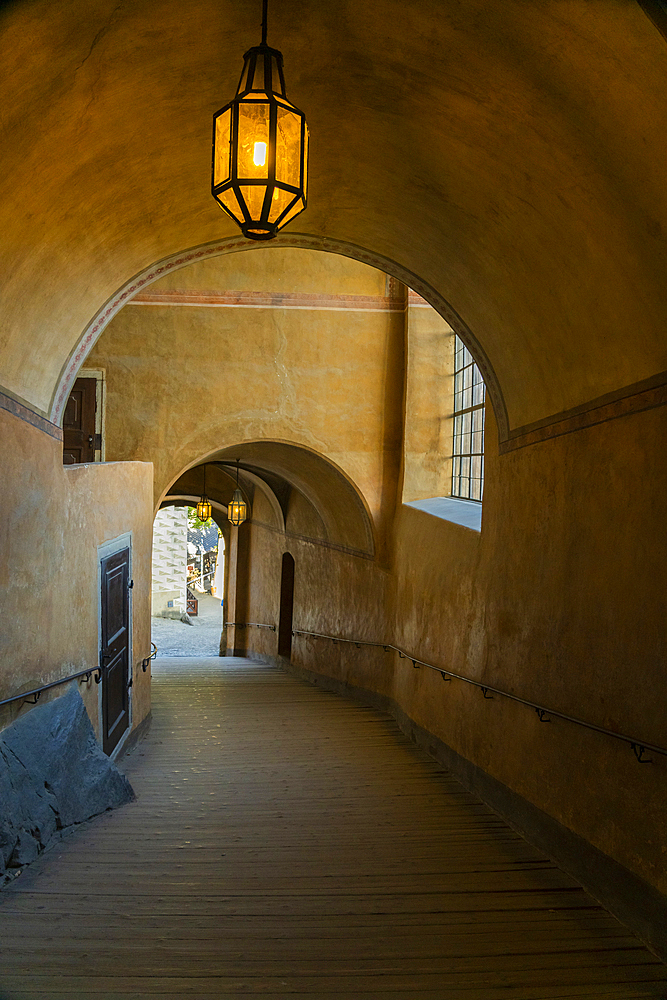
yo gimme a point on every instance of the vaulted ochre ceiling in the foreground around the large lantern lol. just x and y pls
(510, 154)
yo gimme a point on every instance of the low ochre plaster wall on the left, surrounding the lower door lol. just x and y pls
(53, 519)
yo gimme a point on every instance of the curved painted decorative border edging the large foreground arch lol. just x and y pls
(298, 241)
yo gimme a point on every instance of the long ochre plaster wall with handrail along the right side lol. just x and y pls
(560, 600)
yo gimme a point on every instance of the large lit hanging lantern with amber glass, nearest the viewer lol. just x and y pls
(260, 148)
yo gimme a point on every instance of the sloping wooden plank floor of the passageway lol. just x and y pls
(288, 842)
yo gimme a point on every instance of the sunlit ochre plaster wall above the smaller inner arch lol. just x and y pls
(183, 382)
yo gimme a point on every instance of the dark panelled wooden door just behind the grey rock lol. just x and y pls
(115, 649)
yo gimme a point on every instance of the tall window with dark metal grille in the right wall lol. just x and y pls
(468, 452)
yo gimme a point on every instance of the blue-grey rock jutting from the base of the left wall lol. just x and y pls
(53, 774)
